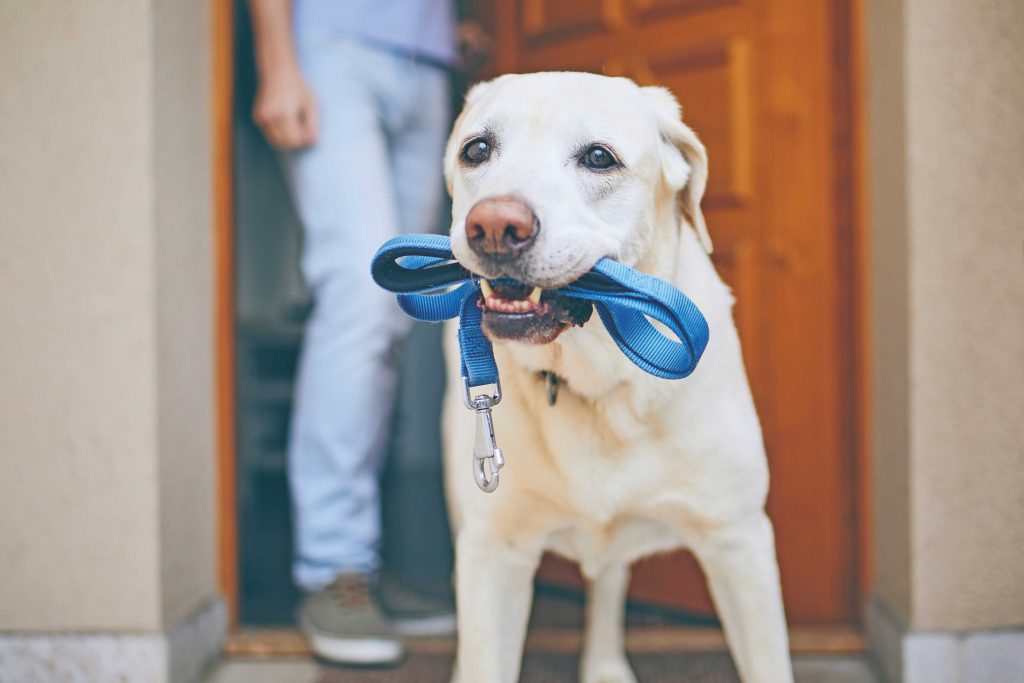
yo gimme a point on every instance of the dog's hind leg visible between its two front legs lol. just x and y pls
(605, 652)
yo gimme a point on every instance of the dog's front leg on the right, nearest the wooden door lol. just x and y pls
(743, 574)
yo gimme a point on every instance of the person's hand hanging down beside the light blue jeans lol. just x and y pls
(286, 110)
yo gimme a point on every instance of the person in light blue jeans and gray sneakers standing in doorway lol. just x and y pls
(357, 97)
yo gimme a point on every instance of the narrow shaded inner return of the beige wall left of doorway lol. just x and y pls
(185, 289)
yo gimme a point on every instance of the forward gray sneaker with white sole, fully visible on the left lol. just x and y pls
(344, 624)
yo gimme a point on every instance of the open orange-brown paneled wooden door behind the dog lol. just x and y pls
(764, 83)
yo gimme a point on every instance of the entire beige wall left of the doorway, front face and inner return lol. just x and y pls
(106, 430)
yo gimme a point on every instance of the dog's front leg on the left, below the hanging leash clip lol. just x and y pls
(494, 594)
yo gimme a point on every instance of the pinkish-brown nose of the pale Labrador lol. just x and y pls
(501, 226)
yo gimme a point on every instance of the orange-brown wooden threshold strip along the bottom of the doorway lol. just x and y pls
(803, 641)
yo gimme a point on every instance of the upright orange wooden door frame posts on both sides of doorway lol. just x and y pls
(849, 62)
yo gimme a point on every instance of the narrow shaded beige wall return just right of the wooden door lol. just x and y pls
(887, 163)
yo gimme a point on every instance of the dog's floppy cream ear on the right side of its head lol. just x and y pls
(685, 160)
